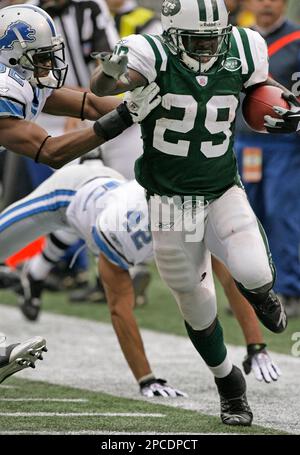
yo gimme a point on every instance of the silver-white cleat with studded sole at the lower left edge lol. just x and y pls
(17, 357)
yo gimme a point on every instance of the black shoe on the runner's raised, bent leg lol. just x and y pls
(271, 313)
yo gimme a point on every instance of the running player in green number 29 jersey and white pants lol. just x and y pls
(201, 65)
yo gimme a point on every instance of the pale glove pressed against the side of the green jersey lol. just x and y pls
(142, 100)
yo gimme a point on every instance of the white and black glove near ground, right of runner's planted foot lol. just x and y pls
(260, 363)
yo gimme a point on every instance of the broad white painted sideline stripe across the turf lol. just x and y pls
(86, 354)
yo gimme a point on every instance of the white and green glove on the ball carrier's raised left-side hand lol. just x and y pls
(115, 64)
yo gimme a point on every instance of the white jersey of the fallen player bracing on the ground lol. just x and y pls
(112, 217)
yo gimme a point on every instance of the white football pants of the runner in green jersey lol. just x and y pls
(231, 233)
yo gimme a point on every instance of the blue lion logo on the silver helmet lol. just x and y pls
(17, 31)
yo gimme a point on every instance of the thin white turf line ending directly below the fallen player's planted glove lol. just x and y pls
(80, 414)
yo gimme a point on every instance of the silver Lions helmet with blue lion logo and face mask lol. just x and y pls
(30, 44)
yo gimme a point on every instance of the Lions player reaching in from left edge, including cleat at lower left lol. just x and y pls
(32, 67)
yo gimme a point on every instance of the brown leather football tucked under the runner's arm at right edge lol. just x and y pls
(258, 103)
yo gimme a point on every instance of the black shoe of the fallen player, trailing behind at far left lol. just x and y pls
(30, 300)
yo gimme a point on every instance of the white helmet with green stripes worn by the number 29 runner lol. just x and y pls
(197, 31)
